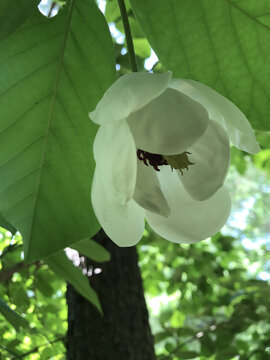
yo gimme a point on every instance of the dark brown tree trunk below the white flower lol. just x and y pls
(123, 333)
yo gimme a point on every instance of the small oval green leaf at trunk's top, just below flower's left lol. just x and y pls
(92, 250)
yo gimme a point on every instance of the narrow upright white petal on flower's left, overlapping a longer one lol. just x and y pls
(115, 156)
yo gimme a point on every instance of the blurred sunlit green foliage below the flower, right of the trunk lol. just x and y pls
(212, 287)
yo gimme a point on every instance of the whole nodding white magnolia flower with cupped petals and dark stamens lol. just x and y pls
(162, 153)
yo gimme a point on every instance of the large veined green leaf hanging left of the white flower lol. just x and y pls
(53, 71)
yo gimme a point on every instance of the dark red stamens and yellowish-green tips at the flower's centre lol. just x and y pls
(180, 161)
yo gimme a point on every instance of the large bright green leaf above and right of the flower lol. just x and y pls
(222, 43)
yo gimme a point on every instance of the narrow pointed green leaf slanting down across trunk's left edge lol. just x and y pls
(63, 267)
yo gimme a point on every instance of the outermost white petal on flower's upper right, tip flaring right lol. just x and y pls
(221, 109)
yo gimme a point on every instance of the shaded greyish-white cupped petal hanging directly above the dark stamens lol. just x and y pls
(169, 124)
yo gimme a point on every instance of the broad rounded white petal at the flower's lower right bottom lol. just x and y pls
(190, 220)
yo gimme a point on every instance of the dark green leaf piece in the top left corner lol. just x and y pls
(13, 14)
